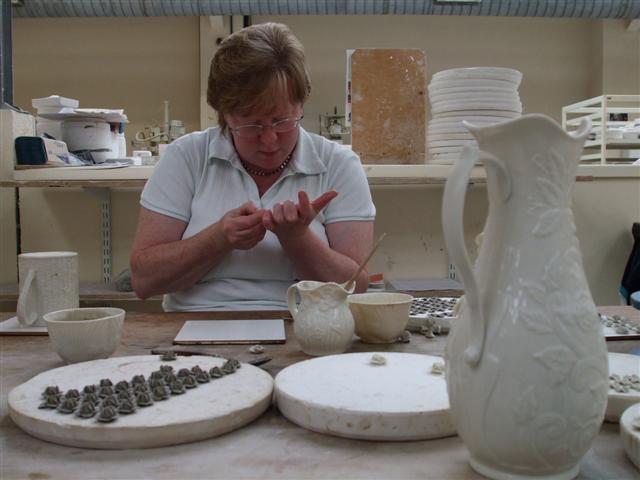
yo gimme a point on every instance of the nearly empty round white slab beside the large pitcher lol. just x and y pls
(347, 396)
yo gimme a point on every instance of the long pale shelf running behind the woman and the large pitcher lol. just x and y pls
(378, 175)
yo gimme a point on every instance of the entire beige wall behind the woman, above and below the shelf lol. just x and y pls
(136, 63)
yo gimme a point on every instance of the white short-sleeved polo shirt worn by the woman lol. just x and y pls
(200, 178)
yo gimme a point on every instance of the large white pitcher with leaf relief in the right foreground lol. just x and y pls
(527, 370)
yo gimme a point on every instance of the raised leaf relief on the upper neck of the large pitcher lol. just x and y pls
(551, 201)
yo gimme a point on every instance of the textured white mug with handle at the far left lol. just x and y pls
(48, 282)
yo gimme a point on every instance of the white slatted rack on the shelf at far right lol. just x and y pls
(603, 148)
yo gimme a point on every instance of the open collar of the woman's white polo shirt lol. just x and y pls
(306, 158)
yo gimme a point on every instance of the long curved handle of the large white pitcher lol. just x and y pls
(452, 222)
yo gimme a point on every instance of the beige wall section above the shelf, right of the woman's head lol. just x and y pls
(552, 53)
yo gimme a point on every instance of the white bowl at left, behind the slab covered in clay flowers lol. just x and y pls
(83, 334)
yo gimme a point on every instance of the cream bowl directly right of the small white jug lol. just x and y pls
(380, 317)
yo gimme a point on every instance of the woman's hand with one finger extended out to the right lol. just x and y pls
(289, 220)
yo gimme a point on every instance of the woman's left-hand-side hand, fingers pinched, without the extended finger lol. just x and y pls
(243, 227)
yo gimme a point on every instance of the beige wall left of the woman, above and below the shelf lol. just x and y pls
(130, 63)
